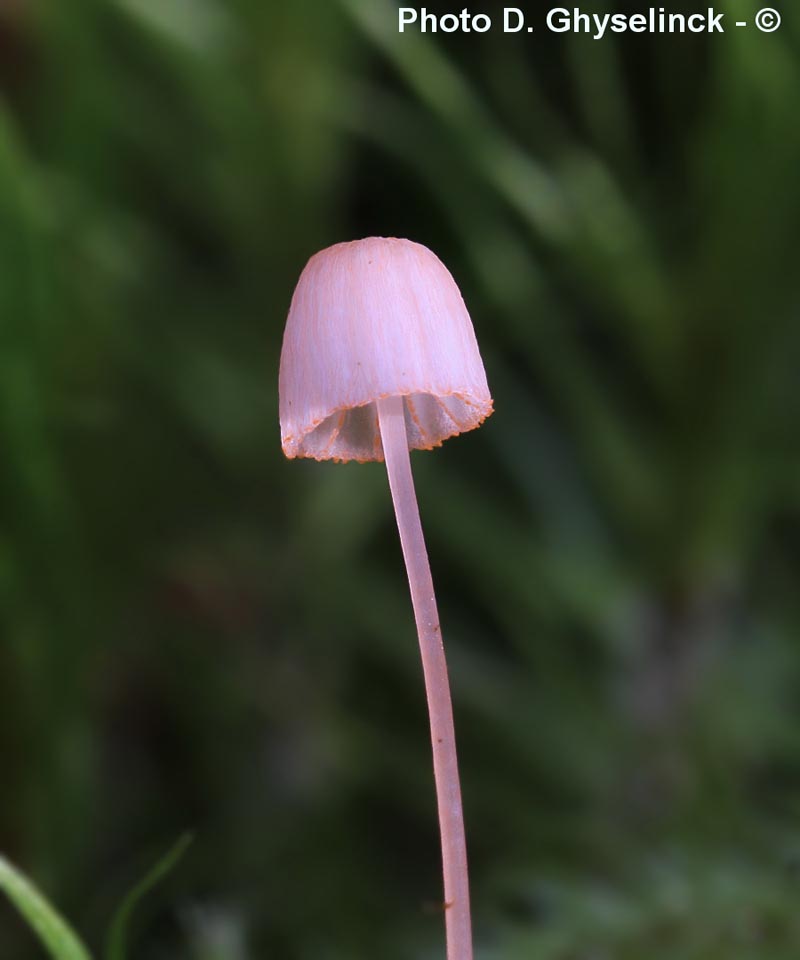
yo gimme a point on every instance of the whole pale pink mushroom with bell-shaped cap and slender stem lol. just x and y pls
(379, 357)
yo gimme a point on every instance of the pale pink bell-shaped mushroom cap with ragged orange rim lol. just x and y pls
(371, 319)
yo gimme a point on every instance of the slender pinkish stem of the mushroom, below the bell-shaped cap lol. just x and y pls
(445, 765)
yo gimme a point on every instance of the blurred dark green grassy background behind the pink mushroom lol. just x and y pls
(198, 634)
